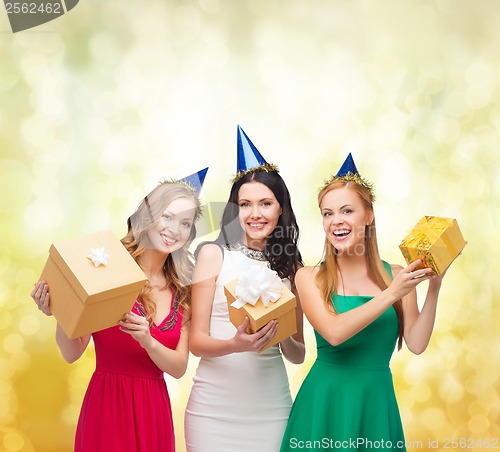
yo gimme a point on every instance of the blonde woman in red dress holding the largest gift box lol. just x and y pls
(127, 406)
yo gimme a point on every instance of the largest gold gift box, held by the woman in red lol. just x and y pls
(85, 298)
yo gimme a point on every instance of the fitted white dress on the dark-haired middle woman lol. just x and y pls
(239, 402)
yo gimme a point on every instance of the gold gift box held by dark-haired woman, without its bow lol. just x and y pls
(282, 310)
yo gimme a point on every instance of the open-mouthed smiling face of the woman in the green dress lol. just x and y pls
(345, 218)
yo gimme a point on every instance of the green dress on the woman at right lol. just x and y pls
(347, 400)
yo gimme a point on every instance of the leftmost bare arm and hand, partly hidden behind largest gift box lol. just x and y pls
(71, 349)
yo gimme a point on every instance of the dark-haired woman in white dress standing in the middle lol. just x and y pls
(240, 399)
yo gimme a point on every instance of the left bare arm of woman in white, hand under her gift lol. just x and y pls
(206, 272)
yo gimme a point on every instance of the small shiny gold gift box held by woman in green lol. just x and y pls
(434, 240)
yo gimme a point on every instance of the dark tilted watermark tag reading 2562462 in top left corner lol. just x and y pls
(28, 14)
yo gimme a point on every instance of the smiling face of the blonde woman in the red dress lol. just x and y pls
(173, 228)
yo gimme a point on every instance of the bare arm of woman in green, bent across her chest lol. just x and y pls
(337, 328)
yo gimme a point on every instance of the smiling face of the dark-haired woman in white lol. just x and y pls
(259, 212)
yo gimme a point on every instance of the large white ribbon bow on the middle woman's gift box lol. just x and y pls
(257, 282)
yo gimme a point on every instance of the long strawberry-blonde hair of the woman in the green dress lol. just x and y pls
(327, 277)
